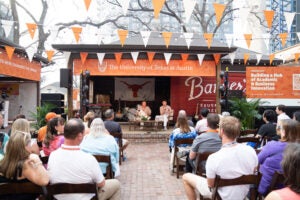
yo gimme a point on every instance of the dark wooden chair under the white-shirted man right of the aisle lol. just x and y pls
(252, 179)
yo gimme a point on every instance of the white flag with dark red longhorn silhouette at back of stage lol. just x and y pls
(135, 89)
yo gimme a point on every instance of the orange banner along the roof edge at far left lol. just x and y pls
(20, 68)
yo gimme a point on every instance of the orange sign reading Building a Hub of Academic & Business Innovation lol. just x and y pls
(273, 82)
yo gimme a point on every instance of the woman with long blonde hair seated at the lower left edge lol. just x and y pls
(19, 165)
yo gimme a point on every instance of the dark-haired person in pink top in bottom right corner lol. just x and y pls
(290, 165)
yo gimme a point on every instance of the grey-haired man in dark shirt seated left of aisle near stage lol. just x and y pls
(114, 127)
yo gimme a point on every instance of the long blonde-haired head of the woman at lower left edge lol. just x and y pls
(17, 151)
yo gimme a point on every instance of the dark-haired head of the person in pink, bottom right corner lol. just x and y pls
(291, 165)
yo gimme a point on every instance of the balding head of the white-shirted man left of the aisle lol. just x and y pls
(73, 128)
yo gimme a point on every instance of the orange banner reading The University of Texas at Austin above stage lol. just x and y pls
(110, 67)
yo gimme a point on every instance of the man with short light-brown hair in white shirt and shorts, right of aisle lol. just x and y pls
(231, 161)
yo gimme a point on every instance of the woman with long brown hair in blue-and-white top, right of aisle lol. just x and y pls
(182, 130)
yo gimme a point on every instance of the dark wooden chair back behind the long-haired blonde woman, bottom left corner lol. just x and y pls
(23, 188)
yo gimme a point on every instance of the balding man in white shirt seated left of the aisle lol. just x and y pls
(71, 165)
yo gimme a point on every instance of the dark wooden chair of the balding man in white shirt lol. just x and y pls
(68, 188)
